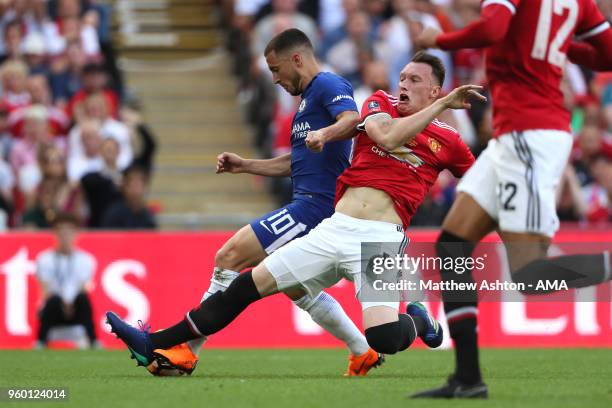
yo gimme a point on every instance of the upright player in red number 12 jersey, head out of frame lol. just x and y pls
(511, 187)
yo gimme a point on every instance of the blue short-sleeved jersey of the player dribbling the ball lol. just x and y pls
(326, 96)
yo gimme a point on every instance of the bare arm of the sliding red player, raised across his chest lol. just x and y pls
(392, 133)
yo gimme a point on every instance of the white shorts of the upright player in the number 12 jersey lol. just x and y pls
(515, 178)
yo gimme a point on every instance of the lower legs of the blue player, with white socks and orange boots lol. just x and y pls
(244, 250)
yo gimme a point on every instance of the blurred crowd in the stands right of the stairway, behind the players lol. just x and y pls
(368, 42)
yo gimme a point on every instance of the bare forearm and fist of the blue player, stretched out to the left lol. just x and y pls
(232, 163)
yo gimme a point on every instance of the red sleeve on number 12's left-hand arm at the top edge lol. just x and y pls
(492, 27)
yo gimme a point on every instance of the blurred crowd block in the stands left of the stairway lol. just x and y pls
(67, 129)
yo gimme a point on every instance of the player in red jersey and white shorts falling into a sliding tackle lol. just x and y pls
(398, 154)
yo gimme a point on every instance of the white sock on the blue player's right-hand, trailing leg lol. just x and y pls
(328, 314)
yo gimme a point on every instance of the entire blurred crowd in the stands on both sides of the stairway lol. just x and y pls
(72, 138)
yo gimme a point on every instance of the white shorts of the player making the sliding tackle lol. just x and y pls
(332, 251)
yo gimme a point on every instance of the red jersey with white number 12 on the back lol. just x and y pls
(526, 67)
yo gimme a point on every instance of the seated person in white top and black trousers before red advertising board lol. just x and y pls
(64, 273)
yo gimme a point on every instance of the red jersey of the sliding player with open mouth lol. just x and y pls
(406, 173)
